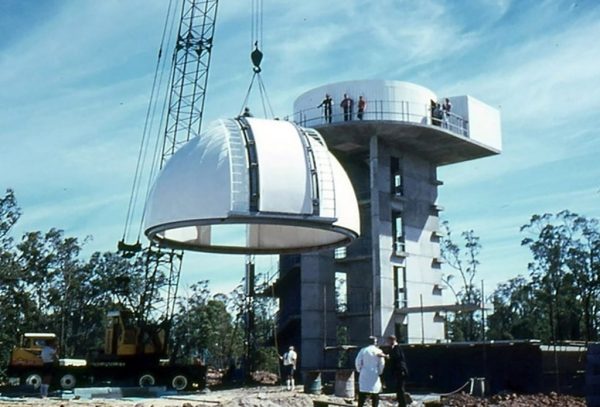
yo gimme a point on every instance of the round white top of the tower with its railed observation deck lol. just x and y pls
(402, 115)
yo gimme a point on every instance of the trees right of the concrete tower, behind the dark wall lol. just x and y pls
(559, 298)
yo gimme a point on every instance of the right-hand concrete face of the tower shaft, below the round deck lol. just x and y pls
(420, 222)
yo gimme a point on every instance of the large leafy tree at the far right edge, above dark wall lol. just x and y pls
(566, 271)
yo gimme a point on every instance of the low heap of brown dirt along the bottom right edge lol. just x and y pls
(513, 400)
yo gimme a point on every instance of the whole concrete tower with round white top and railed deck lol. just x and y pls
(388, 281)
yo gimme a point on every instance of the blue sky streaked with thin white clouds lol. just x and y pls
(76, 76)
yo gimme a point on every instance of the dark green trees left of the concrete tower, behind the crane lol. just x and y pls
(46, 286)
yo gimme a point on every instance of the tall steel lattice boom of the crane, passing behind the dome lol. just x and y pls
(184, 98)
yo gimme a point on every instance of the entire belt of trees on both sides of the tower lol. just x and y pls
(46, 286)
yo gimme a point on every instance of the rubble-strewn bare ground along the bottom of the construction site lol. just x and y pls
(272, 396)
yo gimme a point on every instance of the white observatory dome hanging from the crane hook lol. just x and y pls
(251, 185)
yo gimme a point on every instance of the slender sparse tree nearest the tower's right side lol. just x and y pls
(465, 261)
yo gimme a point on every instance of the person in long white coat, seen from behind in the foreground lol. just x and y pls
(369, 363)
